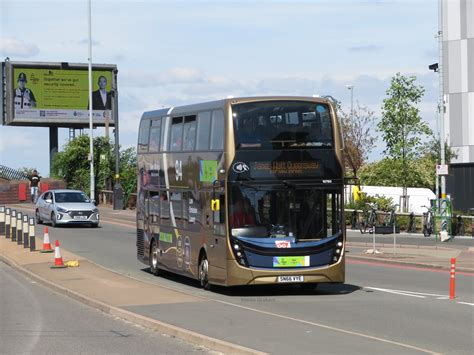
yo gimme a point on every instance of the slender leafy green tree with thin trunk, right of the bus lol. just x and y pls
(401, 125)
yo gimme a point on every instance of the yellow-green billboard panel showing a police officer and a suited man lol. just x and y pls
(57, 94)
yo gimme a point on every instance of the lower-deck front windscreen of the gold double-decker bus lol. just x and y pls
(306, 213)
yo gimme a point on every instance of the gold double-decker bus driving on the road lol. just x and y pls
(243, 191)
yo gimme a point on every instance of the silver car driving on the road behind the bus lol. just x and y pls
(66, 207)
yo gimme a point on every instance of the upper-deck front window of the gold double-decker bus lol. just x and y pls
(282, 125)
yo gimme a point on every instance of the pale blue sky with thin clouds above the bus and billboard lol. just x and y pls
(180, 52)
